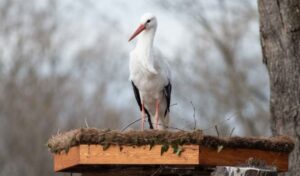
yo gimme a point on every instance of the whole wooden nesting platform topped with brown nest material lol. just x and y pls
(90, 150)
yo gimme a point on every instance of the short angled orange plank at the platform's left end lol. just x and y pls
(65, 160)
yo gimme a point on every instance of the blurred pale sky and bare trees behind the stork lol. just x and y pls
(64, 65)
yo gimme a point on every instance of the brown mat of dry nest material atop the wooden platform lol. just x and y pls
(63, 141)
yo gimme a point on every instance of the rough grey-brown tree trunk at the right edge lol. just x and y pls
(280, 41)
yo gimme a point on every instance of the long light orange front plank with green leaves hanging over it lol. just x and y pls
(94, 154)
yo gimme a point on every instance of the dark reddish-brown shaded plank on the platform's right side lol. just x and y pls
(236, 157)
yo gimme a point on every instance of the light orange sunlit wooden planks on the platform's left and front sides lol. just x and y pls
(129, 155)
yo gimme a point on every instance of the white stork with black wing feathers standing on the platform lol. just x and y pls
(150, 76)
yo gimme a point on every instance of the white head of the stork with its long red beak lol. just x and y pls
(147, 22)
